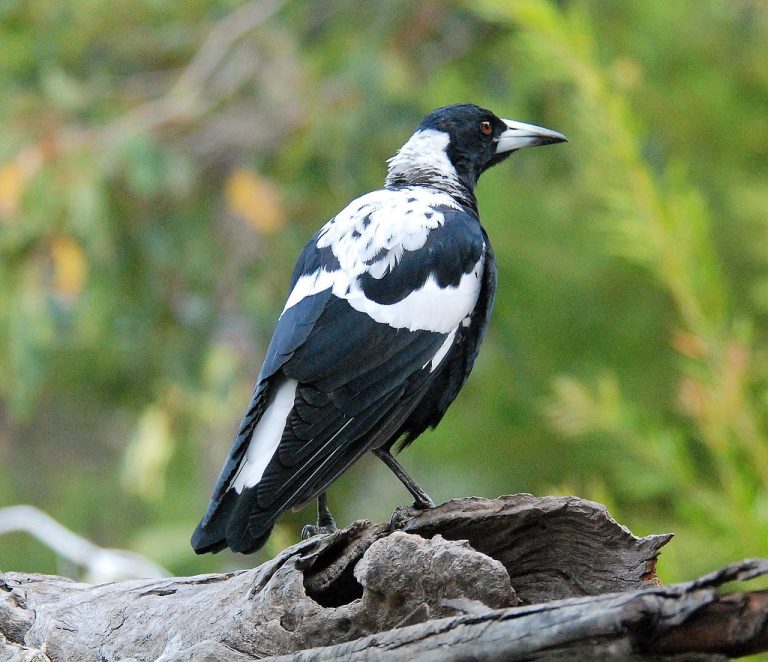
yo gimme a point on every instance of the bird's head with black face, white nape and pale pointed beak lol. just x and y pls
(454, 145)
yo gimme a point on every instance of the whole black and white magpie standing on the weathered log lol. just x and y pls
(387, 308)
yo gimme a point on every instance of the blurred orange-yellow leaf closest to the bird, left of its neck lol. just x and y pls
(255, 200)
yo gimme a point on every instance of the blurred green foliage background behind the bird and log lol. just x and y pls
(161, 165)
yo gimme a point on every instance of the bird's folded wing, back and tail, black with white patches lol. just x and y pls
(353, 352)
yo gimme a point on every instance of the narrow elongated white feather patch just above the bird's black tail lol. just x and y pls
(266, 437)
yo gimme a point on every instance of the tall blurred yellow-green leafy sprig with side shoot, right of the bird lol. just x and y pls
(655, 216)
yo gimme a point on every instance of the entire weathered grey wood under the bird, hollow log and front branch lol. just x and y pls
(519, 576)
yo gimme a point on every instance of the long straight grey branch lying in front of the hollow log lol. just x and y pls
(688, 621)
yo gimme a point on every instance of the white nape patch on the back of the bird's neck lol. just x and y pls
(423, 154)
